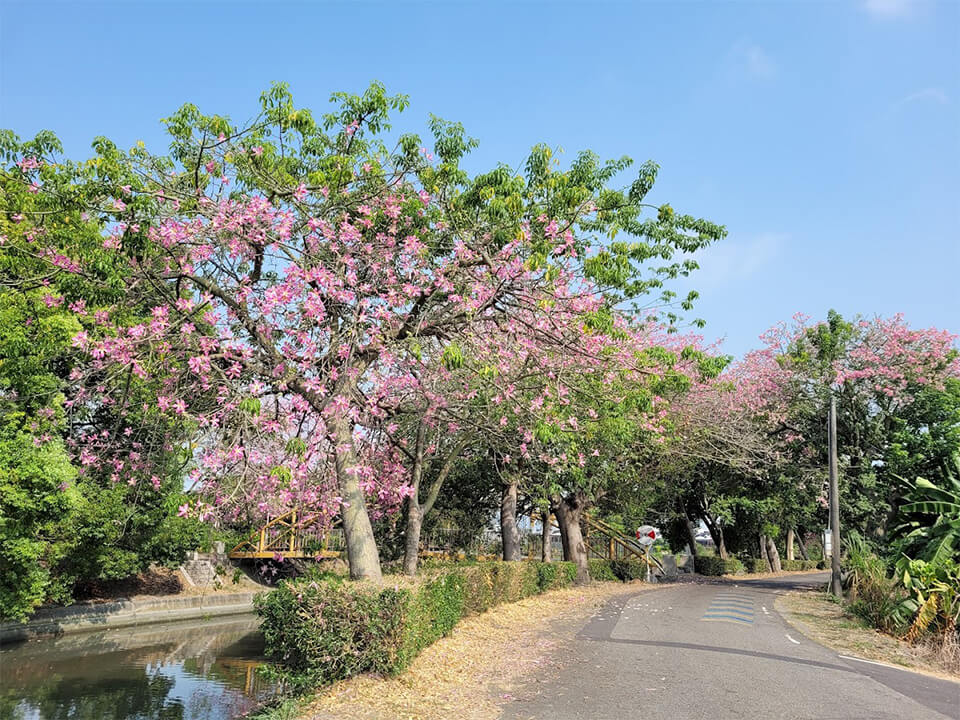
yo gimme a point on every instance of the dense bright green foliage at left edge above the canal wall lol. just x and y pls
(59, 527)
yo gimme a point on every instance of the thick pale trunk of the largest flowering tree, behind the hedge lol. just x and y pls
(362, 554)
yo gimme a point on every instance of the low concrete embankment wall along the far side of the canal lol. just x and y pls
(86, 617)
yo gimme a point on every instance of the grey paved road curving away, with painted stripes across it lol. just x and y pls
(721, 651)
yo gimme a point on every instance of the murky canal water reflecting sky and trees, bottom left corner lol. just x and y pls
(197, 670)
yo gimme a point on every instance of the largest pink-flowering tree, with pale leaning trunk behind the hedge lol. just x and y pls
(290, 268)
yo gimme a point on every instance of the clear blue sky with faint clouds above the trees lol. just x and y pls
(824, 135)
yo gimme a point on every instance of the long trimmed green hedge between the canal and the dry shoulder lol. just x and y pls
(322, 630)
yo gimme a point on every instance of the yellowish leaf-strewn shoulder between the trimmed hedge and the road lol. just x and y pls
(470, 674)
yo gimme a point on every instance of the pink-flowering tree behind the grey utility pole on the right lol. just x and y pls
(875, 367)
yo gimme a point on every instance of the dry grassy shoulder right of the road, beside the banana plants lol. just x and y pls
(825, 621)
